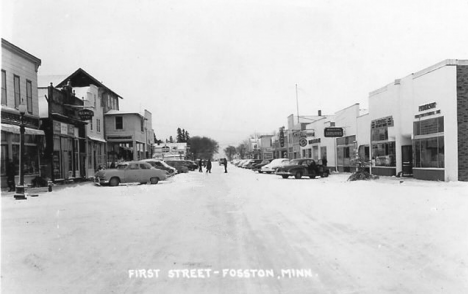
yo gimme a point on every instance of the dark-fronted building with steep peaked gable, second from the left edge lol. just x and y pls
(78, 142)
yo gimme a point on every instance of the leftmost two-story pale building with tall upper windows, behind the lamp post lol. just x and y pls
(19, 86)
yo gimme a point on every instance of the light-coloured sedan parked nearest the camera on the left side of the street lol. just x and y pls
(129, 172)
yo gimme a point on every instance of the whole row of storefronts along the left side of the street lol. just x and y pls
(73, 125)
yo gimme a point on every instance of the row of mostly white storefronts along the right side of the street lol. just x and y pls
(415, 126)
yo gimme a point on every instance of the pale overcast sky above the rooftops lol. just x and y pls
(227, 69)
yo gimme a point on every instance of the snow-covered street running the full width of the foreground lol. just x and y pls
(239, 232)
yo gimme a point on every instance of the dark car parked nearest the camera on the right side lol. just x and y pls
(303, 167)
